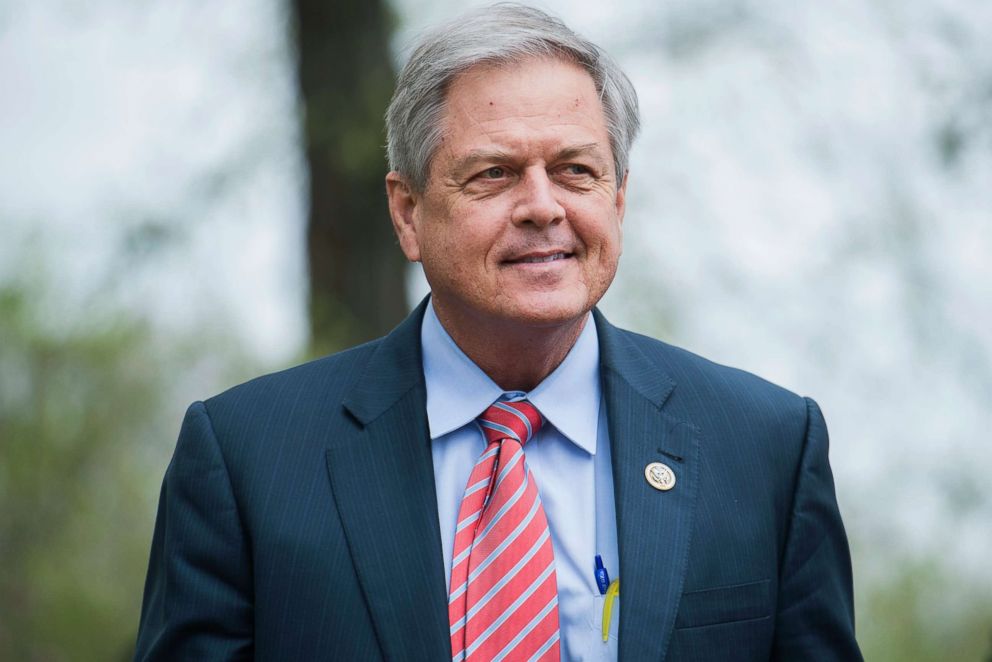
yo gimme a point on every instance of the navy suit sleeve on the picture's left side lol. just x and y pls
(198, 600)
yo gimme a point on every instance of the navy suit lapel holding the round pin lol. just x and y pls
(653, 527)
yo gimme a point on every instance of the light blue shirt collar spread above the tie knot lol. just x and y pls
(458, 391)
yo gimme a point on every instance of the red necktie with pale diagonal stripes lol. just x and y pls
(503, 602)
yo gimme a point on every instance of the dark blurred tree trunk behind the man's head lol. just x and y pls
(346, 78)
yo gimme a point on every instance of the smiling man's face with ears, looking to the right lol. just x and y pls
(520, 221)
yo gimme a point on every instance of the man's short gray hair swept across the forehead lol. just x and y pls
(498, 34)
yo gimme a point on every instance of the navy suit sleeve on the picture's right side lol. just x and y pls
(815, 619)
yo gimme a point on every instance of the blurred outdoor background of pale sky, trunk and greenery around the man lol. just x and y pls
(191, 194)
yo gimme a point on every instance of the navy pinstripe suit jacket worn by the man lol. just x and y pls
(298, 519)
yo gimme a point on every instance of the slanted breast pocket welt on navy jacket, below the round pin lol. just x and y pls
(724, 604)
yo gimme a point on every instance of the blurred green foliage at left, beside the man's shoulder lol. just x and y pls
(88, 419)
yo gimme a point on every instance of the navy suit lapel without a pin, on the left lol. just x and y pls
(382, 477)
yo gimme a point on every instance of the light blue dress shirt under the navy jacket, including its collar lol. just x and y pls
(570, 460)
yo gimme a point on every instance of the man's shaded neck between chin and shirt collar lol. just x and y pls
(535, 351)
